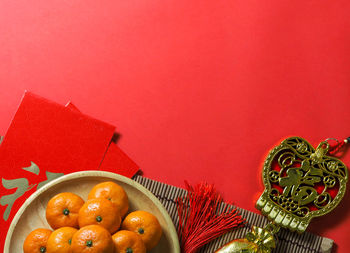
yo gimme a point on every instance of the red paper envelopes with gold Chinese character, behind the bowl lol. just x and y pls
(46, 140)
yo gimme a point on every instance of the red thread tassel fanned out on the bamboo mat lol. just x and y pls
(199, 221)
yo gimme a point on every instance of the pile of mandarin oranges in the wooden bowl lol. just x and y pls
(99, 225)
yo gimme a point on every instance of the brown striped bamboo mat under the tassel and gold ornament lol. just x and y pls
(288, 242)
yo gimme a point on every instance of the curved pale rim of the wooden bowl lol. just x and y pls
(94, 173)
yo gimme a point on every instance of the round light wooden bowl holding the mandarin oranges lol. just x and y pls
(32, 214)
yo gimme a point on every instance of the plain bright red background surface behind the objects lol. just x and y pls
(199, 90)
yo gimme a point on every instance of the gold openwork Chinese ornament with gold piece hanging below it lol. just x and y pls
(300, 183)
